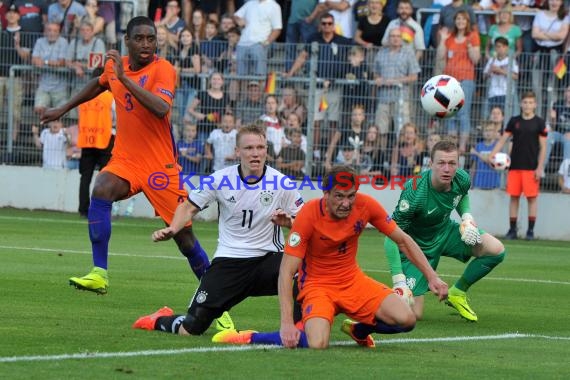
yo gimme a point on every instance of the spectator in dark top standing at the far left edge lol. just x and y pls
(16, 49)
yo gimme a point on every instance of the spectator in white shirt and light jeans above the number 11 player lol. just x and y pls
(261, 24)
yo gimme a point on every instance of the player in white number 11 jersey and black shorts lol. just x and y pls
(255, 201)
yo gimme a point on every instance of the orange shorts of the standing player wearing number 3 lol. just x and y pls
(161, 187)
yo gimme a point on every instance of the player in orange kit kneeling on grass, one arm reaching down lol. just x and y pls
(322, 246)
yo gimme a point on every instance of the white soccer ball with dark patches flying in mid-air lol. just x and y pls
(442, 96)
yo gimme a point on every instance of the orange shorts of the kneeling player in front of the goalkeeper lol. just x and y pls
(359, 299)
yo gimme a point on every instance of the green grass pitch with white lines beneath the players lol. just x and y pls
(49, 330)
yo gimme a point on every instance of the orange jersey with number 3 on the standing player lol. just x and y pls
(143, 137)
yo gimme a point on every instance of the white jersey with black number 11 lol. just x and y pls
(245, 209)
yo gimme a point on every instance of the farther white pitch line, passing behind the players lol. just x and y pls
(50, 250)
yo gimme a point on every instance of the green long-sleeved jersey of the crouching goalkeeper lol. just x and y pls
(424, 213)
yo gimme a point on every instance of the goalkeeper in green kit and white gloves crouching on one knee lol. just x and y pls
(423, 211)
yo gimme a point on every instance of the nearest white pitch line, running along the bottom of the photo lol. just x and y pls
(100, 355)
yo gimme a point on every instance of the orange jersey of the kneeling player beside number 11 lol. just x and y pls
(328, 246)
